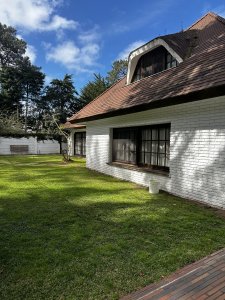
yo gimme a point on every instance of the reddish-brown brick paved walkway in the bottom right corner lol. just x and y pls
(204, 279)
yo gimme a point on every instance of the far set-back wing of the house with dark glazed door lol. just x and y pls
(77, 139)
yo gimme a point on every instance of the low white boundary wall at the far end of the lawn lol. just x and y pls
(28, 145)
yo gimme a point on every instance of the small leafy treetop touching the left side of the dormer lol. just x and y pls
(119, 70)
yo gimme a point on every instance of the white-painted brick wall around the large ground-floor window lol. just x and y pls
(197, 169)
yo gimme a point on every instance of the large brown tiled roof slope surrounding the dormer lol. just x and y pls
(201, 74)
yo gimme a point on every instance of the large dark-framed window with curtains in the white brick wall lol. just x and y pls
(147, 146)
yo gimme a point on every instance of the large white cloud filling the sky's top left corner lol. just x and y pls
(34, 15)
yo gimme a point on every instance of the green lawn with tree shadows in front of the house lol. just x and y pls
(70, 233)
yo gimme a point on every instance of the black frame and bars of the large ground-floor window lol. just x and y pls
(139, 142)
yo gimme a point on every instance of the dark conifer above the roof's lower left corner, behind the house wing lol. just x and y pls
(61, 98)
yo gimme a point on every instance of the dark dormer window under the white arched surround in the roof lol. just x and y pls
(154, 62)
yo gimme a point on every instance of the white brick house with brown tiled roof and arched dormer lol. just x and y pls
(166, 120)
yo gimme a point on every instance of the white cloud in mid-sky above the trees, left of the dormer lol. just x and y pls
(73, 57)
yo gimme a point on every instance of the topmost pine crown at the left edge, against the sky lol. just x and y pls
(12, 49)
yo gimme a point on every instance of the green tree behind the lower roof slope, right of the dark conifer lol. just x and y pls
(93, 89)
